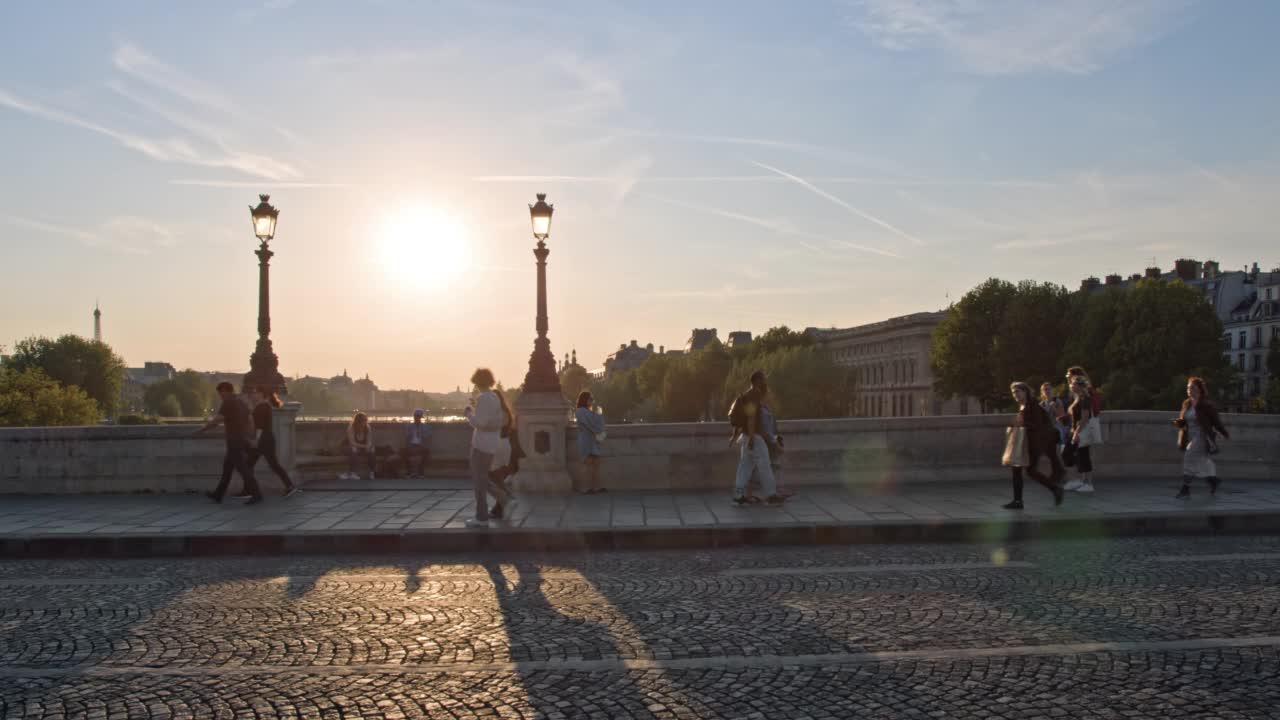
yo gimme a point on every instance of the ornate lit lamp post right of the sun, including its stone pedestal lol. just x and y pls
(543, 417)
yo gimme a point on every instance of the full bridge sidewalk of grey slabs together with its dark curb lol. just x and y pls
(383, 521)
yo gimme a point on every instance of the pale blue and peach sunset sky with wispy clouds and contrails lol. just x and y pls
(737, 166)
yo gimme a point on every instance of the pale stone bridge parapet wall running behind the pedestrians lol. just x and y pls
(868, 453)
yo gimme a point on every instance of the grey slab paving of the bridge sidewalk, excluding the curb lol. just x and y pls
(427, 511)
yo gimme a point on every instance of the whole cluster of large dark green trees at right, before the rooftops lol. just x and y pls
(1139, 345)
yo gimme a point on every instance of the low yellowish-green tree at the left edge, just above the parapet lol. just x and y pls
(33, 399)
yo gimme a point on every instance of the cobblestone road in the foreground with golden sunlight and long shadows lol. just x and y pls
(1141, 628)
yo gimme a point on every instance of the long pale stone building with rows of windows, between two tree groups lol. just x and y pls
(892, 359)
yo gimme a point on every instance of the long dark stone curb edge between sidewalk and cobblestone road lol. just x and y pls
(454, 541)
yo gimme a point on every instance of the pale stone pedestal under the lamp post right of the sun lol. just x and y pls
(542, 420)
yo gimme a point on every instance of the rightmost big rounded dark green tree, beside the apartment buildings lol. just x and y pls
(1164, 332)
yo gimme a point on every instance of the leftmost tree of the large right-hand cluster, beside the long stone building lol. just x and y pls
(966, 343)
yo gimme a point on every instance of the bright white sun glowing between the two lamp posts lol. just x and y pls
(424, 248)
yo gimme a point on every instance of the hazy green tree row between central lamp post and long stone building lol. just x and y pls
(804, 382)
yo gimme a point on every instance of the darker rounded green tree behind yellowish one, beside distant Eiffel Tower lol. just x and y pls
(76, 362)
